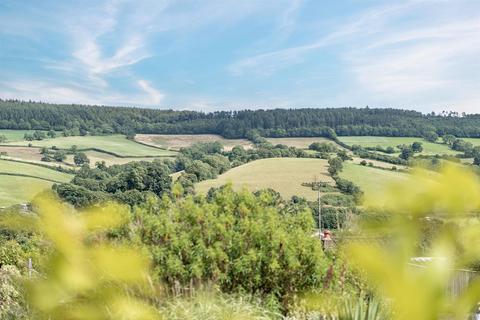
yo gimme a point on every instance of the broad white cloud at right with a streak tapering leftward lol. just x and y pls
(421, 54)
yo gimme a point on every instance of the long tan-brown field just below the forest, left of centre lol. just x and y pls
(178, 141)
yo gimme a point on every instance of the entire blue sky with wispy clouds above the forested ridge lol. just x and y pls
(212, 55)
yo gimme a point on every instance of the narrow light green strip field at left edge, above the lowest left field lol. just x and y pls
(12, 167)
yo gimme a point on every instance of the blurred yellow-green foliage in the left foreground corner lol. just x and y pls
(86, 277)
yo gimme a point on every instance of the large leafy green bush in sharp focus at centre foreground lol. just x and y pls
(237, 240)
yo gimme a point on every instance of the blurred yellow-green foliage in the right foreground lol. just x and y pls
(421, 290)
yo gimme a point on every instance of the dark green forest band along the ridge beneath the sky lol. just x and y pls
(96, 120)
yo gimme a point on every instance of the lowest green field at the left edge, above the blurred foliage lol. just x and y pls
(16, 190)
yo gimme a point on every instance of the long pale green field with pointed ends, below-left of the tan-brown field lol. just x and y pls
(117, 144)
